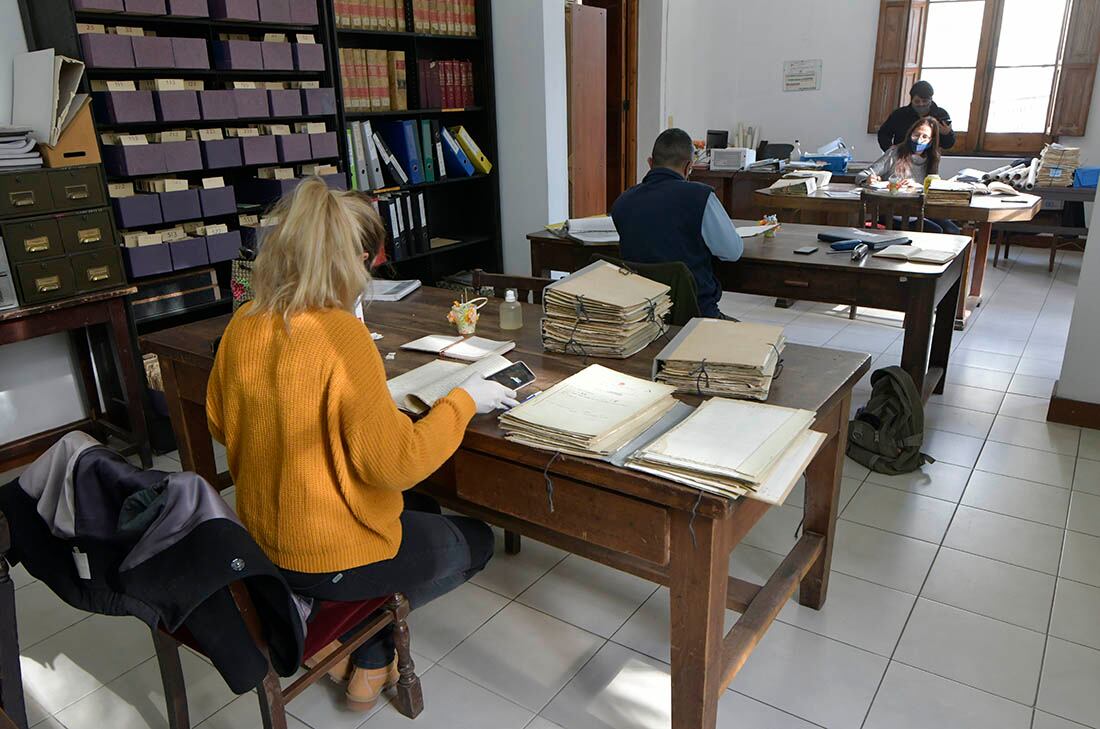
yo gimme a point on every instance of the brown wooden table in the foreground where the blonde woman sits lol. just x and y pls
(653, 528)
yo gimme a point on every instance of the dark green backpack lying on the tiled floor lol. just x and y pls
(887, 434)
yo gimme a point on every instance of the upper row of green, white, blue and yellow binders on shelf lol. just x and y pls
(411, 152)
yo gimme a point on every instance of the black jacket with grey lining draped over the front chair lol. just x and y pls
(163, 548)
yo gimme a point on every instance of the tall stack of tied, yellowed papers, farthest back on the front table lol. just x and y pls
(604, 312)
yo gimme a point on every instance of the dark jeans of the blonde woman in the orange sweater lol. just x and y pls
(437, 555)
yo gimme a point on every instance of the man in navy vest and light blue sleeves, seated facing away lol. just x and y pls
(666, 218)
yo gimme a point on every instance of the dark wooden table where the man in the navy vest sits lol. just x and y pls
(771, 268)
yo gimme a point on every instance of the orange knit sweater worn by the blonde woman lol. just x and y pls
(318, 450)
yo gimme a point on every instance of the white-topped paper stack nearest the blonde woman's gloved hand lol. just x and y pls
(592, 414)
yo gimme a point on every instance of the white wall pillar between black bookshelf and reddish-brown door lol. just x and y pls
(530, 58)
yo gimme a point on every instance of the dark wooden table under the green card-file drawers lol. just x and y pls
(97, 324)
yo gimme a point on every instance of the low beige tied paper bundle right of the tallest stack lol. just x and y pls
(730, 359)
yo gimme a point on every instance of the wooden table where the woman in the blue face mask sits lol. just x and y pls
(983, 213)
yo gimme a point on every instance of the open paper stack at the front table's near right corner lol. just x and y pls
(734, 449)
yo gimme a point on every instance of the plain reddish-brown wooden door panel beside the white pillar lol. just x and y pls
(587, 62)
